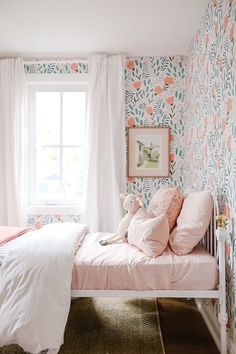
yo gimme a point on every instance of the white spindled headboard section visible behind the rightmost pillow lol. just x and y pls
(209, 241)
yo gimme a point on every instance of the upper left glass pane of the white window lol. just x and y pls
(47, 118)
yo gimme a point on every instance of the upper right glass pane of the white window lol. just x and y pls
(74, 118)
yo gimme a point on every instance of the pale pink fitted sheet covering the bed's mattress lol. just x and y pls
(124, 267)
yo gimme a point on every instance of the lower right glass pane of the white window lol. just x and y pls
(73, 172)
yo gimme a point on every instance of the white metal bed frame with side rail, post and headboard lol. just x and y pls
(214, 242)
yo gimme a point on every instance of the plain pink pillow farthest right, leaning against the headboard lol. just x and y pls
(192, 222)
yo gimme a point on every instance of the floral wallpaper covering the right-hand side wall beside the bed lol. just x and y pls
(210, 121)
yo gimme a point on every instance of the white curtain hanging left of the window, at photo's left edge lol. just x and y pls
(12, 102)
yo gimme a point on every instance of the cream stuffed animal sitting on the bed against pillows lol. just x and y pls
(131, 203)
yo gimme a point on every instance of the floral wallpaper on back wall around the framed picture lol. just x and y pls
(155, 97)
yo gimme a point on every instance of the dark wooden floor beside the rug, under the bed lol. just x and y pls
(183, 329)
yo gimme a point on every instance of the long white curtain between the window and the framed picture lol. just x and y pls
(106, 150)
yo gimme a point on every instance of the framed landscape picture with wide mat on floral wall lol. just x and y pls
(148, 152)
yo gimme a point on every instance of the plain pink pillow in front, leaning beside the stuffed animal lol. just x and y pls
(150, 235)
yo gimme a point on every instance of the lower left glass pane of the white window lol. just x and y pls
(48, 184)
